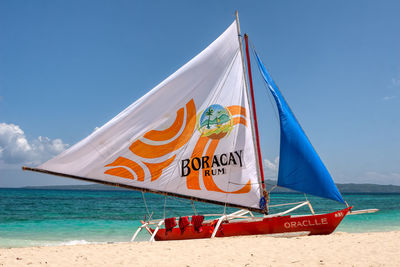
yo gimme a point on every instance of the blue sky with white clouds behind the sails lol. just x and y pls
(67, 67)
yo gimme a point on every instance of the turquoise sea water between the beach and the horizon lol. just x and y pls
(54, 217)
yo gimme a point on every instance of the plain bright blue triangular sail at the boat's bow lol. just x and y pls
(300, 167)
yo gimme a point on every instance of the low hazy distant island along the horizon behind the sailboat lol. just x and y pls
(343, 188)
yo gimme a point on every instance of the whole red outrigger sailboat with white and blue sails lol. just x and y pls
(195, 136)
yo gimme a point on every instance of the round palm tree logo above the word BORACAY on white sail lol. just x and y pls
(215, 122)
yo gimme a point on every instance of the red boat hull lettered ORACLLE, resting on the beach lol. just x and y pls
(322, 224)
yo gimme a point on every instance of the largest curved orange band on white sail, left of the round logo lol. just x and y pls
(155, 151)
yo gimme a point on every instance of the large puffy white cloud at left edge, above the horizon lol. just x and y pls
(15, 148)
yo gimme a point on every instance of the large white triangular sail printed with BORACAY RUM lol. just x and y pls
(191, 135)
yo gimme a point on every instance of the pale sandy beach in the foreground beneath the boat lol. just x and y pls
(345, 249)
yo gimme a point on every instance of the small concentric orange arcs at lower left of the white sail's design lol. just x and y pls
(121, 161)
